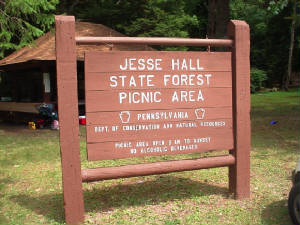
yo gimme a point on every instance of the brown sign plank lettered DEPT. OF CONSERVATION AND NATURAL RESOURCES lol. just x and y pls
(214, 128)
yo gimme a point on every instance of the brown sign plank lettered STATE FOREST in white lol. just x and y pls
(100, 81)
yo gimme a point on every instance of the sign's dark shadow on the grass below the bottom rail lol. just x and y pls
(162, 189)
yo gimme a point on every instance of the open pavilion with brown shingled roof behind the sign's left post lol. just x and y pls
(28, 76)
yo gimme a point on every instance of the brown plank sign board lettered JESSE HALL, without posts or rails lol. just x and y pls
(157, 103)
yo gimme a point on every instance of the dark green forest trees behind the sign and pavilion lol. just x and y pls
(274, 26)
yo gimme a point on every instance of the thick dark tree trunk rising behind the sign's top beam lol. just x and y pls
(218, 18)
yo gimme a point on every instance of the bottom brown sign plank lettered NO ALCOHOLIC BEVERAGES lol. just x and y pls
(160, 146)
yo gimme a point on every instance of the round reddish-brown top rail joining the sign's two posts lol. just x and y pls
(155, 41)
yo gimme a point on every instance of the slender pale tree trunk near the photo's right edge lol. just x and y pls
(289, 69)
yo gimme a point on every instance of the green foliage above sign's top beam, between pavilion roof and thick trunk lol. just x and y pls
(152, 18)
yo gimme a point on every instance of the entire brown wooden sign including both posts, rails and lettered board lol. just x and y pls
(141, 103)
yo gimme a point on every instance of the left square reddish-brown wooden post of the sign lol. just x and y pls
(68, 117)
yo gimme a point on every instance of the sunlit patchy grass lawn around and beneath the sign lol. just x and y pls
(31, 190)
